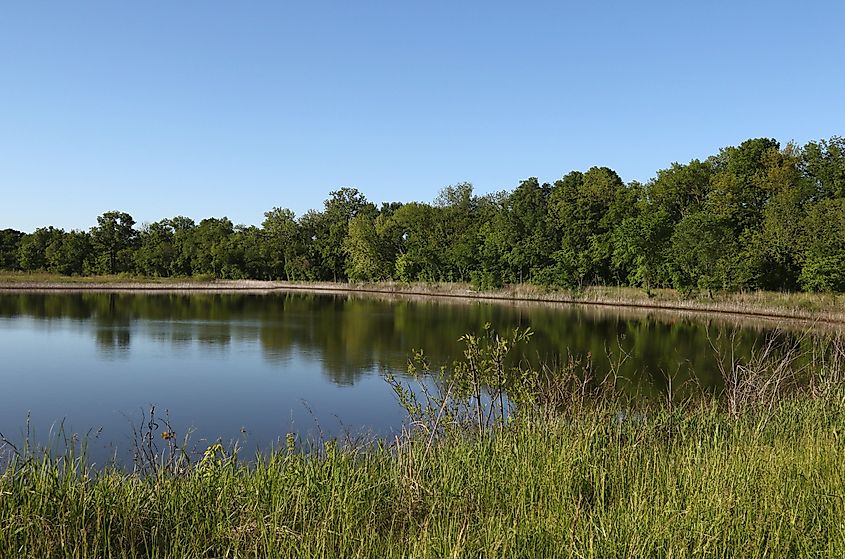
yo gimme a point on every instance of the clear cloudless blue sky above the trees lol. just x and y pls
(231, 108)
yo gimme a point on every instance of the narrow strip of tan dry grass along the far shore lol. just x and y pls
(794, 307)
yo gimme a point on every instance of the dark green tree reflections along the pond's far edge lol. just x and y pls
(352, 335)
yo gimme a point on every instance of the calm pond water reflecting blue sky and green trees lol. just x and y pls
(253, 367)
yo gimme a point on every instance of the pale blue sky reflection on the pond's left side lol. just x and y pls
(224, 387)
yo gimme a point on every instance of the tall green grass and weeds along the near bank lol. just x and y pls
(582, 474)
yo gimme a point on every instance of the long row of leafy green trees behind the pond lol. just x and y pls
(754, 216)
